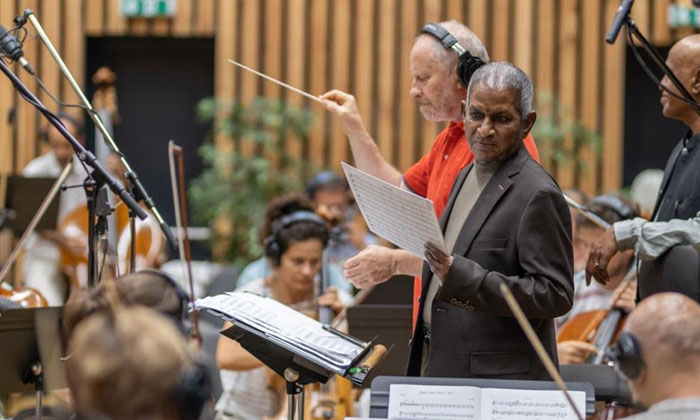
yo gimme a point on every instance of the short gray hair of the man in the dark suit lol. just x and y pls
(502, 75)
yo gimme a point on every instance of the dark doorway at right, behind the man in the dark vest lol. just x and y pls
(649, 136)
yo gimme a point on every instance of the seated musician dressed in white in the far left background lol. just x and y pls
(41, 267)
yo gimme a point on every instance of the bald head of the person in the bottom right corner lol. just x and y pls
(667, 326)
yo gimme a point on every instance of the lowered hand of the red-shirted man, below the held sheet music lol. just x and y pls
(373, 265)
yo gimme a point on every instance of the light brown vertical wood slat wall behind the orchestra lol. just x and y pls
(360, 46)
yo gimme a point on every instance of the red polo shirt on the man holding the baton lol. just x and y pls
(432, 176)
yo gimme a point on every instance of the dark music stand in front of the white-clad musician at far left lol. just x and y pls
(24, 197)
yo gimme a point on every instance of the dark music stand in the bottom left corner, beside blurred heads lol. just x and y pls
(31, 352)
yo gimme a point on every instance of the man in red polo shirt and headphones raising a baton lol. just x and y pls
(442, 60)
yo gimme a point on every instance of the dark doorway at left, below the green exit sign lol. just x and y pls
(159, 82)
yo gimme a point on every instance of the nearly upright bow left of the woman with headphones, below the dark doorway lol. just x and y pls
(183, 238)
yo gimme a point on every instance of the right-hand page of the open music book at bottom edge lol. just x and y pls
(518, 404)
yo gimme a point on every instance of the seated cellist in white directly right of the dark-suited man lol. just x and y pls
(594, 297)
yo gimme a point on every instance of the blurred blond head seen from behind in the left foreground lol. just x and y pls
(130, 364)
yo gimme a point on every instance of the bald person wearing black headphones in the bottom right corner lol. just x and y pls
(659, 354)
